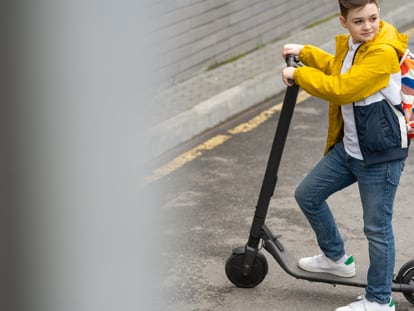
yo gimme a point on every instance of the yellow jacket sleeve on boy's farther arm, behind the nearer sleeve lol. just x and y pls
(317, 58)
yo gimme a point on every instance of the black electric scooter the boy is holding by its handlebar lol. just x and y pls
(247, 266)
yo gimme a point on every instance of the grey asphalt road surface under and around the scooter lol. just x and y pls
(209, 203)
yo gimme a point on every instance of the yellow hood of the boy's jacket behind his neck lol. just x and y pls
(387, 34)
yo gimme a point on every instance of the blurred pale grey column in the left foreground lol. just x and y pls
(85, 234)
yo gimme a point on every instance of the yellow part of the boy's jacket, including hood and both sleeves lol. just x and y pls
(373, 65)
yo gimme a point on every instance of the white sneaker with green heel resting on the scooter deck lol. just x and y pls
(323, 264)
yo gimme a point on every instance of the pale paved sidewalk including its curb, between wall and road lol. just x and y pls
(204, 101)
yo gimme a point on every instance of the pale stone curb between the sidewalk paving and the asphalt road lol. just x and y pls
(213, 111)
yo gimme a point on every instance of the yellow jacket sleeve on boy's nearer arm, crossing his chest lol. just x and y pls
(369, 74)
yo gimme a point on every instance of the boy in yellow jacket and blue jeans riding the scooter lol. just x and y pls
(366, 143)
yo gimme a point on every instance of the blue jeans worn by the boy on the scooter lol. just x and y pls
(377, 187)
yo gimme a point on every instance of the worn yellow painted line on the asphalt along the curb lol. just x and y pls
(216, 141)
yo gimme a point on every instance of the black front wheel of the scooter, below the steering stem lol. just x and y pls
(234, 266)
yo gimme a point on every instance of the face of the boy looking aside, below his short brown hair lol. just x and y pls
(362, 23)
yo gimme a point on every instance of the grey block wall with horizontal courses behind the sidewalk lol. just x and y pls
(191, 35)
